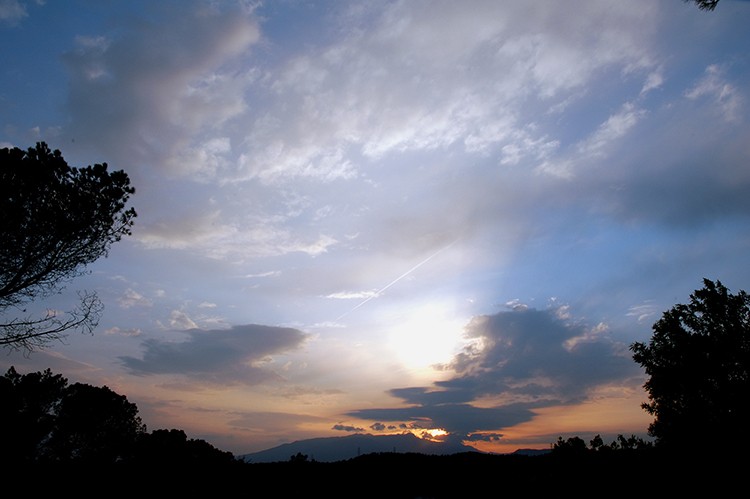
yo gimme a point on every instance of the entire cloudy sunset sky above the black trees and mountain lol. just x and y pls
(447, 218)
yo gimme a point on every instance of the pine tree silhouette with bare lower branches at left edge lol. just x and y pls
(56, 219)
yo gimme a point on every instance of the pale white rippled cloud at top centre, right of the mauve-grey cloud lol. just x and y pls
(335, 109)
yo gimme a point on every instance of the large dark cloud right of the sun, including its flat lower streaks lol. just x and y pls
(527, 358)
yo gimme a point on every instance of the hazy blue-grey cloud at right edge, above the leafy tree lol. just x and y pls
(670, 181)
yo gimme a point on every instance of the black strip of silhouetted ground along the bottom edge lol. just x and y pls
(394, 475)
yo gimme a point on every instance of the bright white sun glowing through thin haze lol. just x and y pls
(426, 336)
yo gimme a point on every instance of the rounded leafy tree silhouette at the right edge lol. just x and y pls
(698, 362)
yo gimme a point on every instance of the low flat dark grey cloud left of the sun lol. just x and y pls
(235, 355)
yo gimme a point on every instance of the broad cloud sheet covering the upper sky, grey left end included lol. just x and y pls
(474, 96)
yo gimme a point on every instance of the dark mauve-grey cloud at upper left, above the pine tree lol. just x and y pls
(157, 91)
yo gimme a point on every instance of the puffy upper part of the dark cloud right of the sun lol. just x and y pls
(534, 354)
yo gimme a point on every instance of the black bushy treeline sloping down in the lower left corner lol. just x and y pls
(44, 420)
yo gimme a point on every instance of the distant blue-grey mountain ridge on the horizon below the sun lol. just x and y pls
(331, 449)
